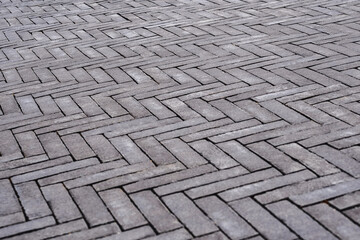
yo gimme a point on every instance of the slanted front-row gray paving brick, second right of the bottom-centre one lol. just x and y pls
(261, 219)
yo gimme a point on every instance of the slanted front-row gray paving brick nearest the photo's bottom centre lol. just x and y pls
(189, 214)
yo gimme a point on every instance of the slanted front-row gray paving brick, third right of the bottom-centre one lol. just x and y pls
(299, 221)
